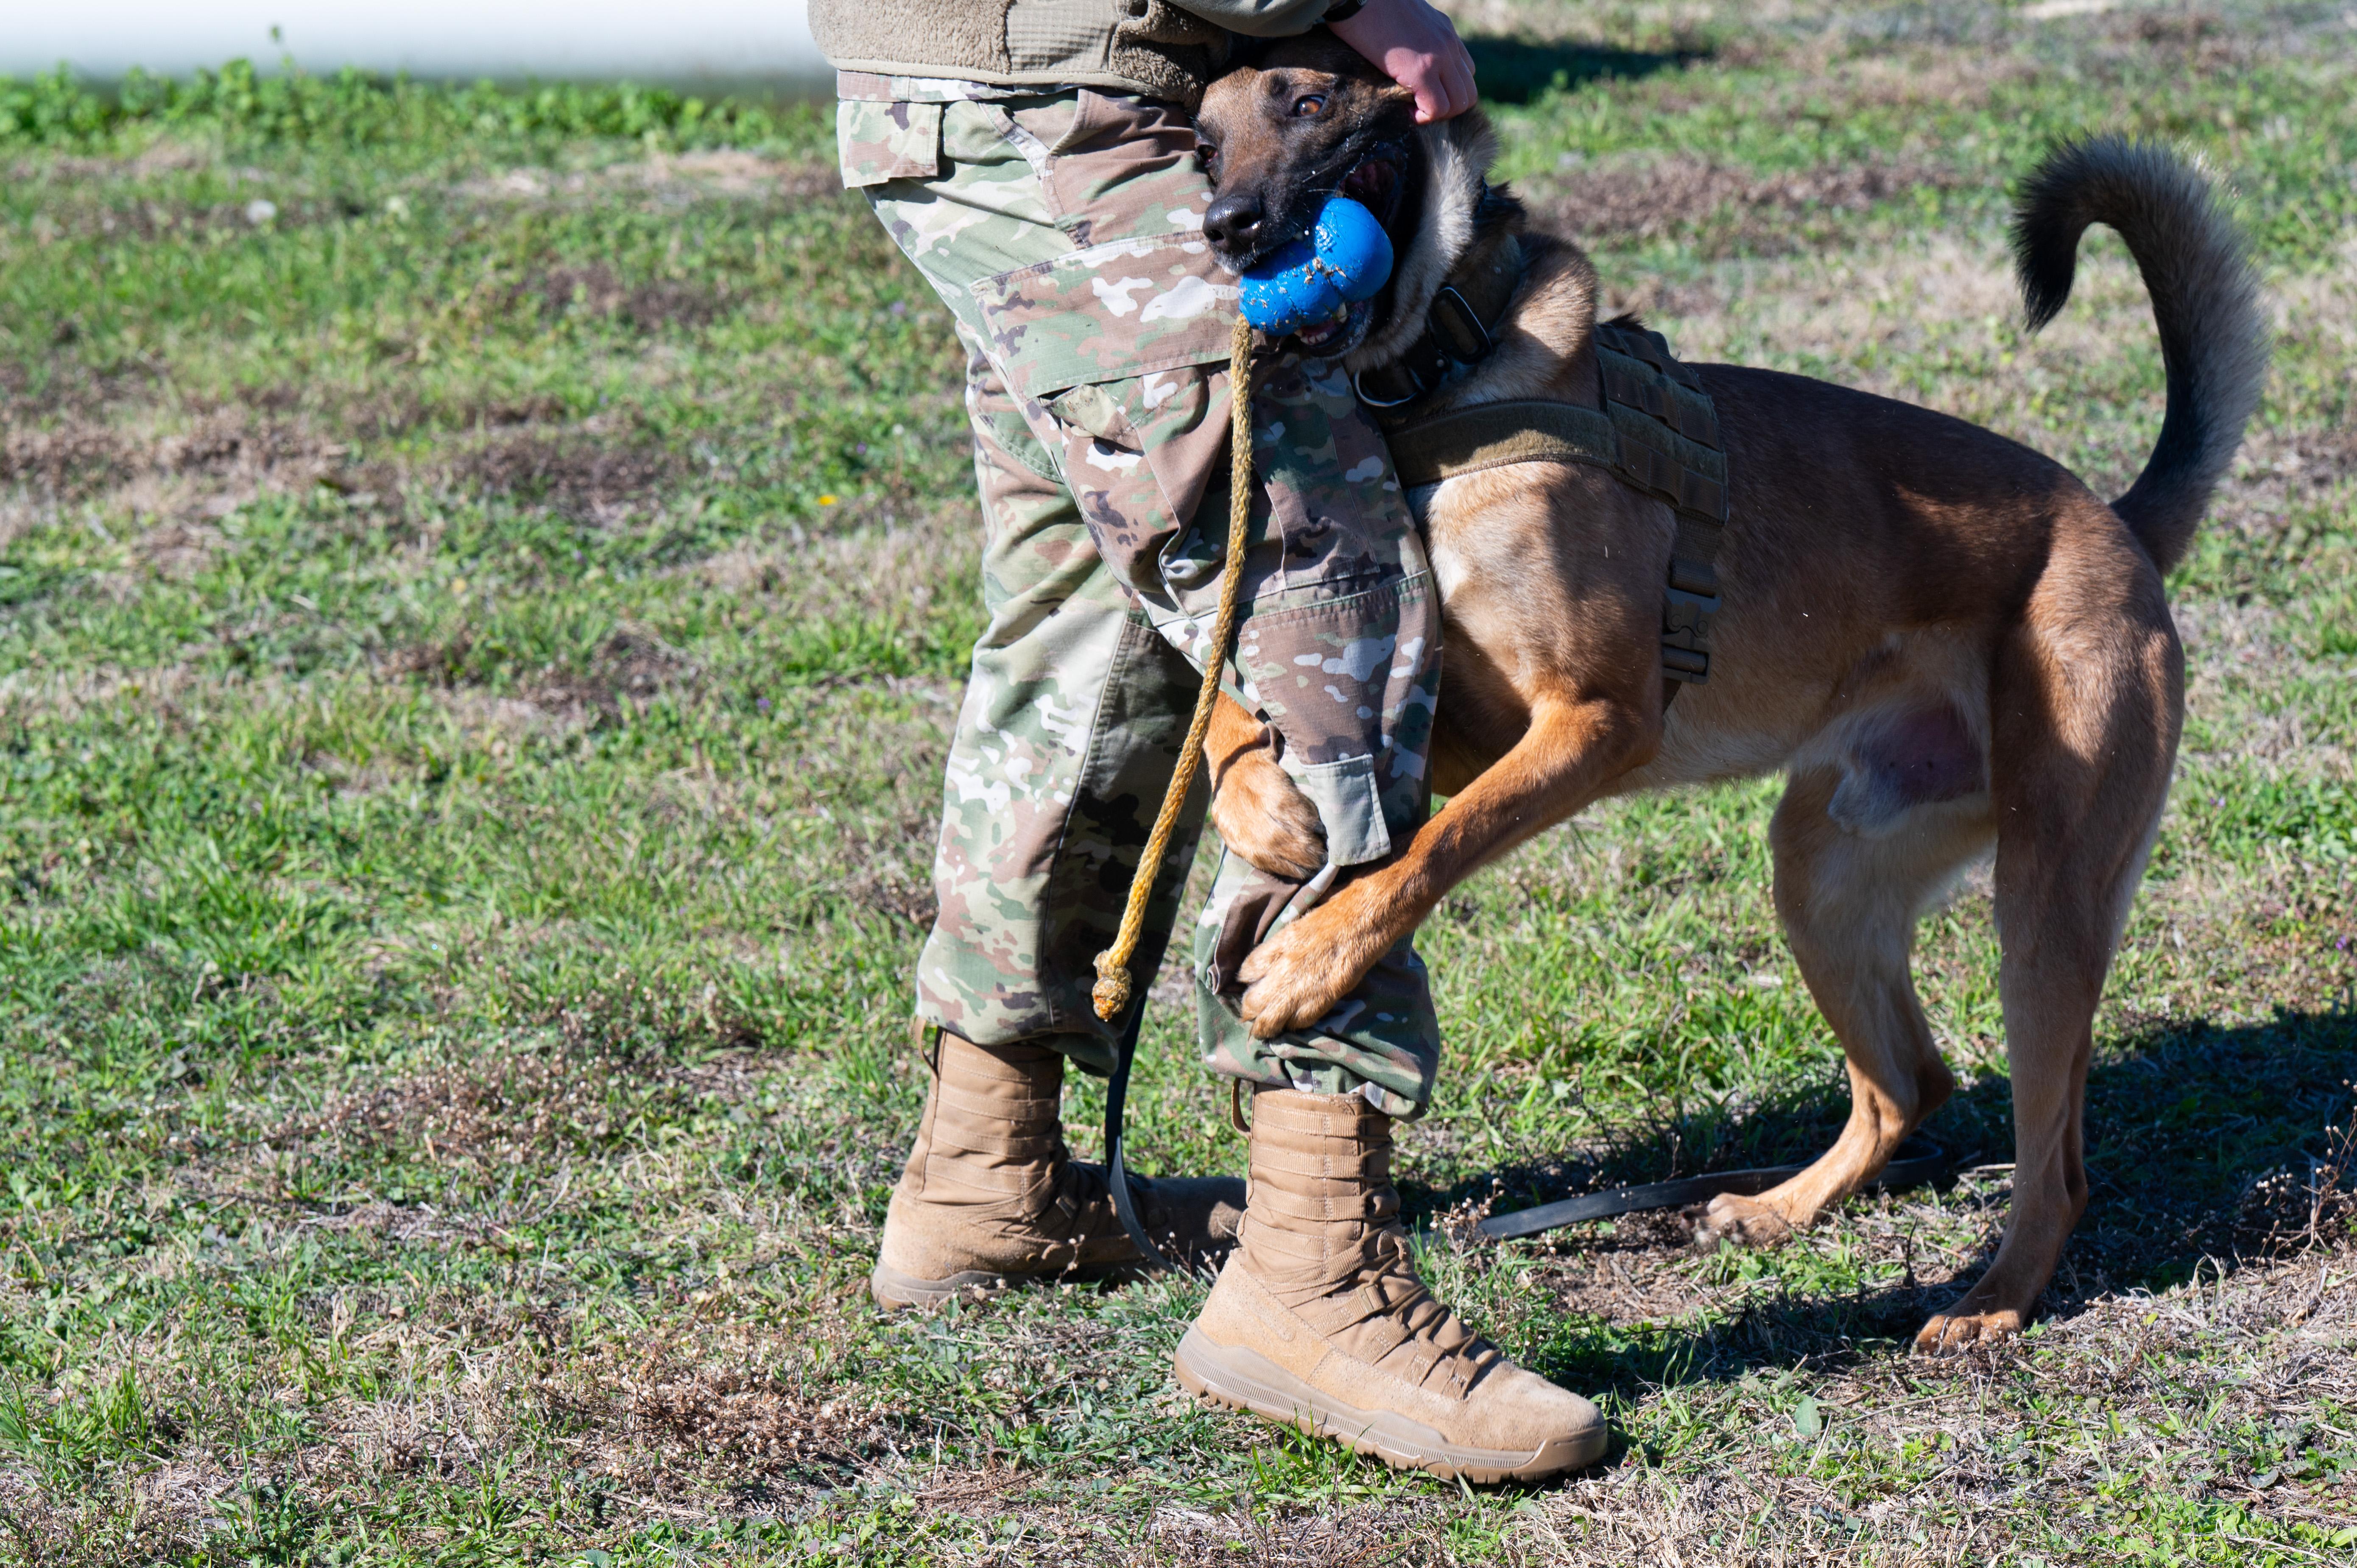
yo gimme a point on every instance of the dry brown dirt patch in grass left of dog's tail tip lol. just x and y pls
(1729, 206)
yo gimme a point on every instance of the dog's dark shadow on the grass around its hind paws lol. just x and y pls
(2203, 1145)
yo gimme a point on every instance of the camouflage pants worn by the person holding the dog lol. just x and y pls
(1064, 232)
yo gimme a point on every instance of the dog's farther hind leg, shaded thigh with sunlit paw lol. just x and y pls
(1849, 907)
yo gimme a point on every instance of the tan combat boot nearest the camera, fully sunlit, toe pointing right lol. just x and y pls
(1321, 1322)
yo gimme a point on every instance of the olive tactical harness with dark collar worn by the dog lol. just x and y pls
(1656, 433)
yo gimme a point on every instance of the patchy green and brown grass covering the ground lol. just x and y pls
(482, 602)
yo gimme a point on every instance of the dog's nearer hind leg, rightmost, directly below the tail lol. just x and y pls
(2087, 701)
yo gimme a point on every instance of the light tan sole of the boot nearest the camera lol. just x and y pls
(1246, 1381)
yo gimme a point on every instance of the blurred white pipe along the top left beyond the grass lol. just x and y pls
(722, 41)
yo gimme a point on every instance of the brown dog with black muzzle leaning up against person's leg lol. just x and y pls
(1941, 638)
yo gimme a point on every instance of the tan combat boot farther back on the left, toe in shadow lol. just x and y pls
(991, 1199)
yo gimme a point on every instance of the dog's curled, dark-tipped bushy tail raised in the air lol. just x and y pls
(2205, 298)
